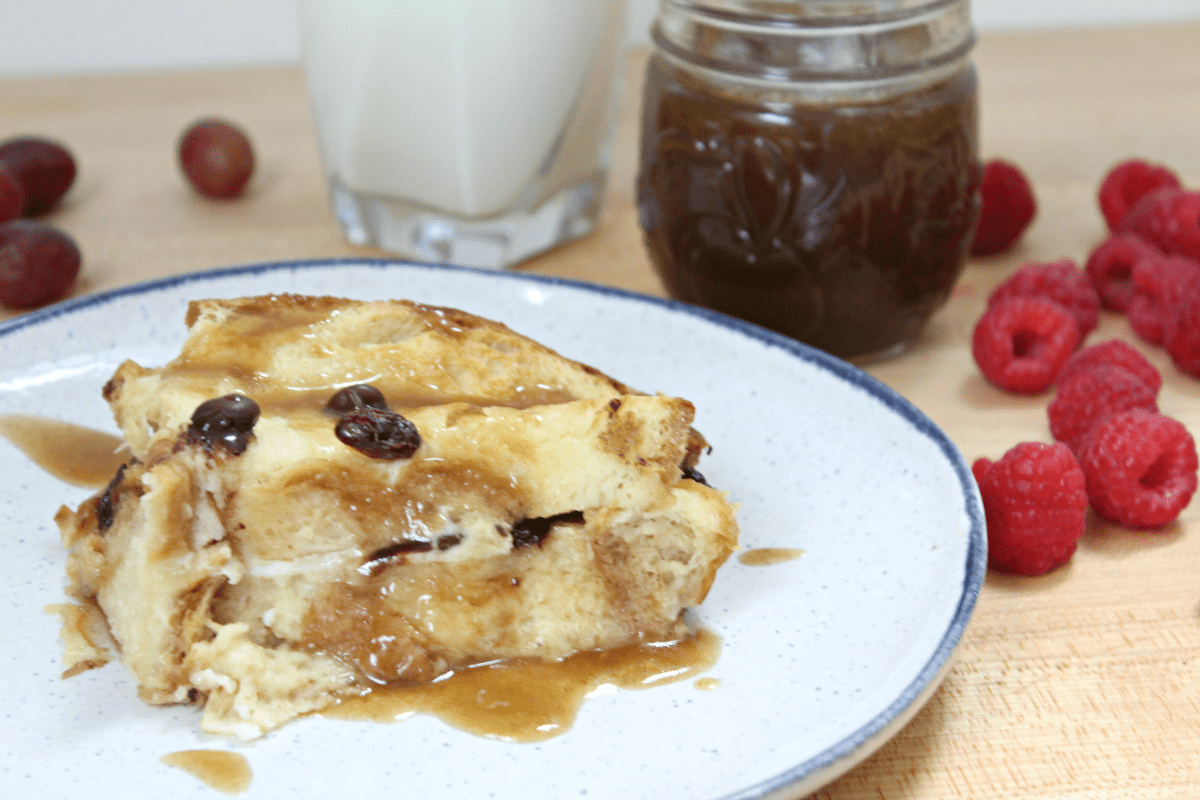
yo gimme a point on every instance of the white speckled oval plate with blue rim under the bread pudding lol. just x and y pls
(825, 658)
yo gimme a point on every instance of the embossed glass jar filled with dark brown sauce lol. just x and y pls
(812, 167)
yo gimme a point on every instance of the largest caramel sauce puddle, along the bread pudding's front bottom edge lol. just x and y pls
(530, 701)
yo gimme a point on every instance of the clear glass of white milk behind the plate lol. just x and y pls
(472, 133)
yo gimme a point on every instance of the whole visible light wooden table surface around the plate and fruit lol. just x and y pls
(1079, 685)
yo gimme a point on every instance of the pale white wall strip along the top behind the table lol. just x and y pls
(64, 37)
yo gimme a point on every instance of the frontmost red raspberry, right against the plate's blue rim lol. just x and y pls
(1036, 506)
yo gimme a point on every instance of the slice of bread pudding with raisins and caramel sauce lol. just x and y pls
(326, 496)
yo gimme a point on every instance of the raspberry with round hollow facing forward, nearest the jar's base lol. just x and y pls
(1021, 344)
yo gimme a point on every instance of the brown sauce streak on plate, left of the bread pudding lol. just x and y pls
(70, 453)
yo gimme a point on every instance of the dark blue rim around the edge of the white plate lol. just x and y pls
(837, 757)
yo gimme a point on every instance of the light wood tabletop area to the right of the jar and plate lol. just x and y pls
(1083, 684)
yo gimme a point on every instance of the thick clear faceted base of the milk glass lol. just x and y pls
(495, 243)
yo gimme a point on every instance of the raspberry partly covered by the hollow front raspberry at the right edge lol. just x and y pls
(1089, 396)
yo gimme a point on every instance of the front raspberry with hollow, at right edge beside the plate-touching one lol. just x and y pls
(1141, 468)
